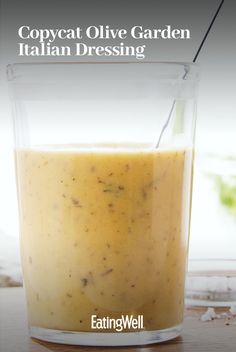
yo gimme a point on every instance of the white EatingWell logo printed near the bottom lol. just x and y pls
(119, 324)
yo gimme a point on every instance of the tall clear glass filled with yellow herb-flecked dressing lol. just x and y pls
(104, 207)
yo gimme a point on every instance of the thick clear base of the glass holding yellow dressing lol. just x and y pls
(105, 339)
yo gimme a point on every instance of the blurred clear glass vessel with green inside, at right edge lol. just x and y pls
(211, 277)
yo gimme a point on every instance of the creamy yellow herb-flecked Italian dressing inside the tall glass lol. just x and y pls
(105, 233)
